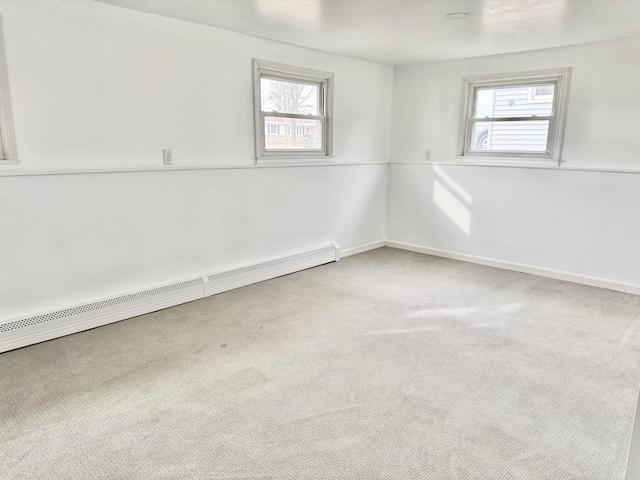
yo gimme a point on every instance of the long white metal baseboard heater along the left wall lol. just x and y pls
(27, 330)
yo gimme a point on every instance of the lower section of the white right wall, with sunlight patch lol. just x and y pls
(580, 222)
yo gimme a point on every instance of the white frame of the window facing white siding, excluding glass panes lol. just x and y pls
(559, 77)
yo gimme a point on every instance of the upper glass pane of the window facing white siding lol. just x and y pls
(525, 101)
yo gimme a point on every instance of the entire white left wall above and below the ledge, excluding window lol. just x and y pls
(96, 87)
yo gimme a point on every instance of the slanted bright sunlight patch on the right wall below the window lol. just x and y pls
(452, 199)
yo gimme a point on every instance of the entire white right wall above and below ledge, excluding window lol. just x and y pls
(581, 222)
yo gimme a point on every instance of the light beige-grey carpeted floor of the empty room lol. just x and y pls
(386, 365)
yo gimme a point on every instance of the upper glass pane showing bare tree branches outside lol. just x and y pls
(289, 97)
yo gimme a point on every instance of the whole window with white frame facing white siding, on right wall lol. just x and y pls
(515, 116)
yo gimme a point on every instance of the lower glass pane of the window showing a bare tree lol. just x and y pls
(292, 134)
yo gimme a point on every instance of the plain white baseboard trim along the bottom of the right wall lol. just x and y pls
(519, 267)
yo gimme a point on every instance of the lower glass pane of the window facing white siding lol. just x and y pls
(525, 136)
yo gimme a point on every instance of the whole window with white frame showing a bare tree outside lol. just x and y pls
(292, 111)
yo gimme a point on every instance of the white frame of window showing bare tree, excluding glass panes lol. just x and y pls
(279, 71)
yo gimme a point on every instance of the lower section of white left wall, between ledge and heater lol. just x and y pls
(67, 239)
